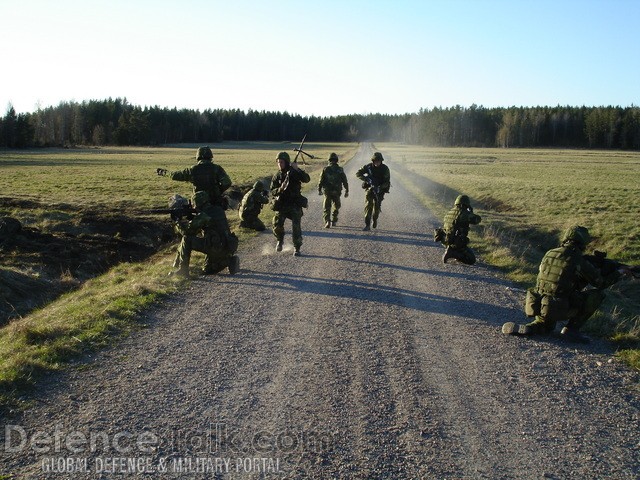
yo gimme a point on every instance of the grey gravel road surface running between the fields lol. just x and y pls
(364, 358)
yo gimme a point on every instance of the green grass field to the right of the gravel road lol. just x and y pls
(527, 198)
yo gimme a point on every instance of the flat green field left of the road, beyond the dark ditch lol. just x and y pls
(116, 177)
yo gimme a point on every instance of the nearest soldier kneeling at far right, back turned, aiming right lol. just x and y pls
(560, 292)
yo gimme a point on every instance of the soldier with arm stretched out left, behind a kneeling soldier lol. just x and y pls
(205, 176)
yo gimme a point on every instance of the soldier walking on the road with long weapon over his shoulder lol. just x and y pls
(286, 186)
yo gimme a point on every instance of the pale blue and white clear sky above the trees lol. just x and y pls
(321, 58)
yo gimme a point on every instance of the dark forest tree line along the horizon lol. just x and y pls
(117, 122)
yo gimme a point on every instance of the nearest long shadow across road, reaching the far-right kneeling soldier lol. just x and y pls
(376, 293)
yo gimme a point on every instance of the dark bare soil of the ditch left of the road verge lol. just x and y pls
(39, 266)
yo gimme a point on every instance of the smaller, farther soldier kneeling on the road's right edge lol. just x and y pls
(456, 231)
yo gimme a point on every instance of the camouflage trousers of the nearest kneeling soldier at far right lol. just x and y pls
(576, 310)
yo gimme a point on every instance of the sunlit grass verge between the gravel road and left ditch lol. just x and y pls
(101, 310)
